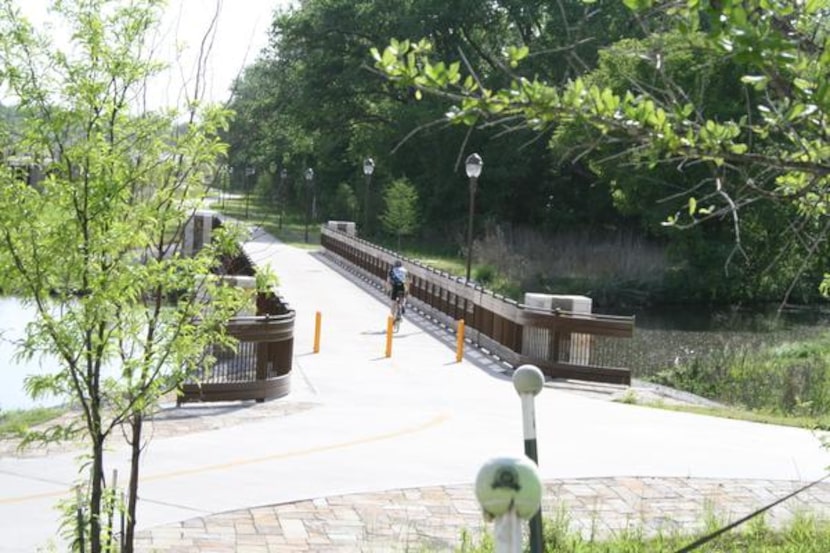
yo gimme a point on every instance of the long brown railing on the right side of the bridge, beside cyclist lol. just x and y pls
(560, 343)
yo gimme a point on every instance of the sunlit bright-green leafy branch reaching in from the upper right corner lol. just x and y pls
(775, 149)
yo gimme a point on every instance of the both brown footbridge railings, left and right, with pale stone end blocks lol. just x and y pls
(556, 333)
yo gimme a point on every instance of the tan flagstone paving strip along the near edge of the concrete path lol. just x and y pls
(437, 518)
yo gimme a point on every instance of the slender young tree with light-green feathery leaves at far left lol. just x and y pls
(93, 246)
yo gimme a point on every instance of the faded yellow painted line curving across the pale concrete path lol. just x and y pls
(435, 421)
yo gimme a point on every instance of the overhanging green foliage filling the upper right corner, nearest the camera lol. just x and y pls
(670, 102)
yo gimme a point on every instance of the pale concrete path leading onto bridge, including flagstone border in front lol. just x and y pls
(283, 475)
